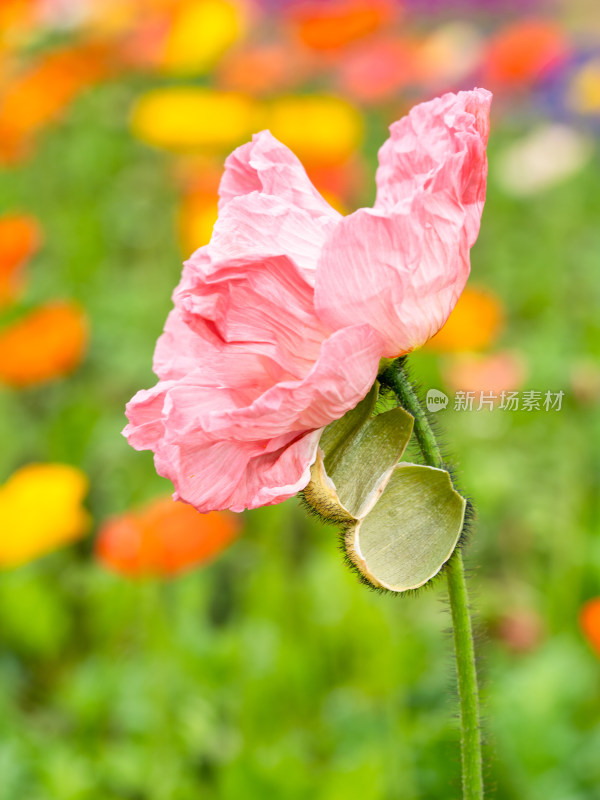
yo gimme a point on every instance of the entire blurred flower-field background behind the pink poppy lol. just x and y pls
(148, 652)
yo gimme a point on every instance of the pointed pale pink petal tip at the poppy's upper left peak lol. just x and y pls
(268, 166)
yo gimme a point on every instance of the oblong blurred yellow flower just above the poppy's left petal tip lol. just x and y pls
(189, 118)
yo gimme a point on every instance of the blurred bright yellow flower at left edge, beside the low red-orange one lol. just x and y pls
(40, 509)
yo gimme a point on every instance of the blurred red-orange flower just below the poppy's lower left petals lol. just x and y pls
(164, 539)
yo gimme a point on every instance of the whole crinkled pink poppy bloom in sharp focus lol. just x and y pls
(280, 321)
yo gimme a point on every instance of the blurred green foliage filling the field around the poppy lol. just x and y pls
(273, 673)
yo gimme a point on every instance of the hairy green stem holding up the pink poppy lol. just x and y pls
(395, 377)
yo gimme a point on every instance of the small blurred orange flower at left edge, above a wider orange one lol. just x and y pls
(20, 237)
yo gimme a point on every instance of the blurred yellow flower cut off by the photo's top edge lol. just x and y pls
(200, 32)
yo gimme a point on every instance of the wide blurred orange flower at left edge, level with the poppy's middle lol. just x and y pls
(47, 343)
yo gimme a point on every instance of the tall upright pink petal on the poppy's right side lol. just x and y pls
(402, 265)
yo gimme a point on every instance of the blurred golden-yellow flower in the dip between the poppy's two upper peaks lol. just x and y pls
(319, 129)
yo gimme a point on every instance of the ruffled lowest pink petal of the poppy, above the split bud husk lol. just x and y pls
(220, 454)
